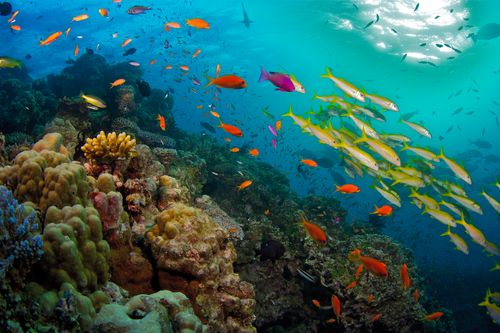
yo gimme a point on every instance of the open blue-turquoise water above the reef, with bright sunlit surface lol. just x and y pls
(303, 37)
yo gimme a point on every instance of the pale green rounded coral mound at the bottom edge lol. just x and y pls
(162, 312)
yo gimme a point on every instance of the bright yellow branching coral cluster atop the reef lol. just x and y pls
(106, 148)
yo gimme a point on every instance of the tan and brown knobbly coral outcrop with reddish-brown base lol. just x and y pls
(203, 270)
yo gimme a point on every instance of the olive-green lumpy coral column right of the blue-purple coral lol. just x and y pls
(74, 250)
